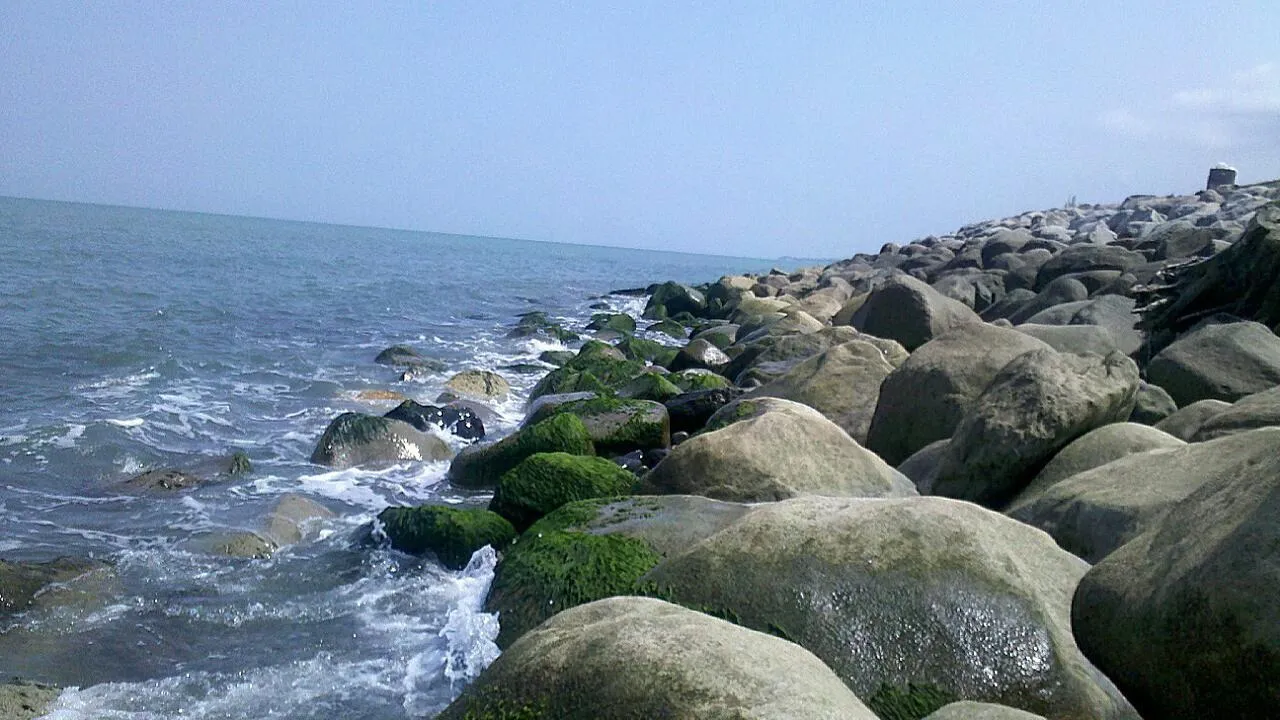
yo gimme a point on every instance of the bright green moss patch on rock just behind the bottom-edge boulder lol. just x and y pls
(554, 567)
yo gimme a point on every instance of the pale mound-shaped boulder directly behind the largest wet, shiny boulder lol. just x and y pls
(776, 449)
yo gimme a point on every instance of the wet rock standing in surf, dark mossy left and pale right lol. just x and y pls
(354, 439)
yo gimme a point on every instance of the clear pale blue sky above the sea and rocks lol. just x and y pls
(748, 129)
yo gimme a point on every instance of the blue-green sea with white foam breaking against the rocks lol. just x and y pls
(135, 340)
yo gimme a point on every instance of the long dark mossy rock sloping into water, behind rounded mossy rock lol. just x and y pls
(482, 466)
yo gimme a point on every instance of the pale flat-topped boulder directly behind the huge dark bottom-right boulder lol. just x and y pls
(1096, 512)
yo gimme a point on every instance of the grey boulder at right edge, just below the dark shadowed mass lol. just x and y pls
(1219, 362)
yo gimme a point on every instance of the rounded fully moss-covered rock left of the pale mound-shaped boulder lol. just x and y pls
(547, 481)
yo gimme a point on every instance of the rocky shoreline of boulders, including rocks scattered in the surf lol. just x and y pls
(1028, 470)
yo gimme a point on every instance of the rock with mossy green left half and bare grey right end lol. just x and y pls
(596, 549)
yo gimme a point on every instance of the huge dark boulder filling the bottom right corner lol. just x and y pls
(1186, 618)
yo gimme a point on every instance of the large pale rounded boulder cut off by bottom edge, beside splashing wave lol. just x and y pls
(630, 658)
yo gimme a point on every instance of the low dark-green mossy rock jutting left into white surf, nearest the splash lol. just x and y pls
(452, 534)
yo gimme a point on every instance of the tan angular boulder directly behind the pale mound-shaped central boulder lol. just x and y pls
(843, 384)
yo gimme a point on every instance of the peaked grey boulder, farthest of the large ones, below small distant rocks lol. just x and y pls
(912, 313)
